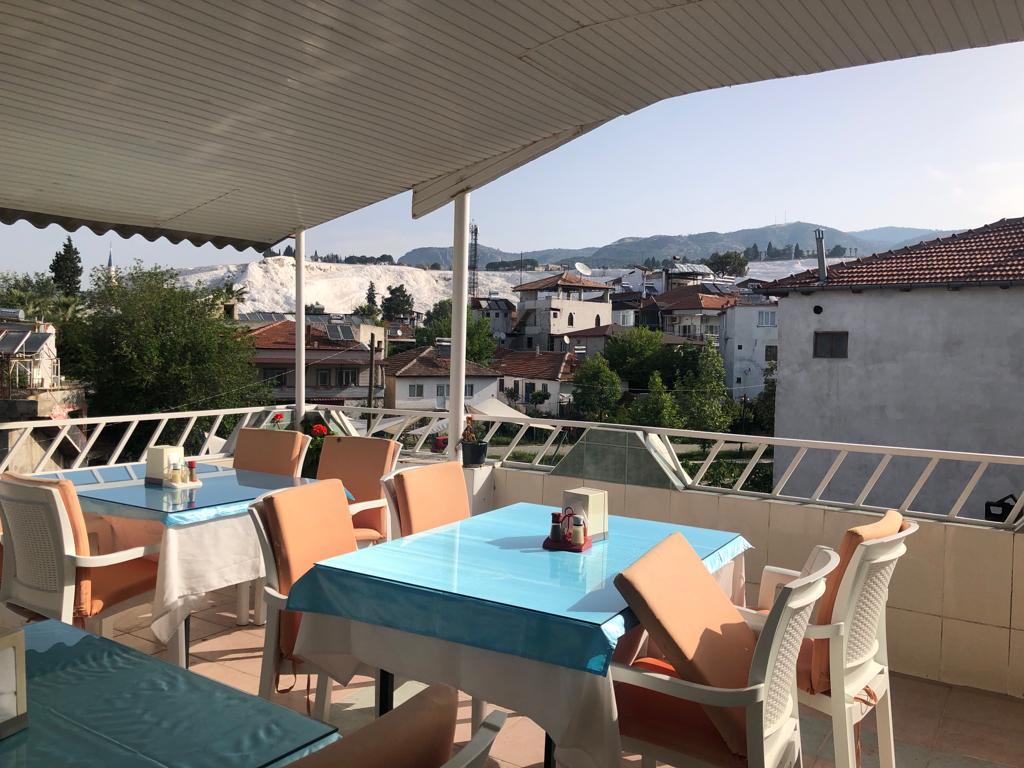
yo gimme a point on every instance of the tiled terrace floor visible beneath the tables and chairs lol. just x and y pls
(937, 727)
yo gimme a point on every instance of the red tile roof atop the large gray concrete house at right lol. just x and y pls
(991, 255)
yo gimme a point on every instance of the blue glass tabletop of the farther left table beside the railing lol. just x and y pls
(225, 493)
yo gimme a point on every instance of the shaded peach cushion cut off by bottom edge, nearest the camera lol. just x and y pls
(418, 735)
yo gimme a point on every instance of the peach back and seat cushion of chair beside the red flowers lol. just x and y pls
(361, 463)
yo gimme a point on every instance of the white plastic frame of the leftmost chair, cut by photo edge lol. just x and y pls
(41, 562)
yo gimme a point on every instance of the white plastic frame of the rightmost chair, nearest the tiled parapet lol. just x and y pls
(859, 661)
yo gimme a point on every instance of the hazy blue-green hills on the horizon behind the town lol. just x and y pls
(788, 241)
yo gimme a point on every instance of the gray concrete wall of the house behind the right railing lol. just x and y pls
(930, 369)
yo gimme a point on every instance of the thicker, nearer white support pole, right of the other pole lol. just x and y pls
(460, 304)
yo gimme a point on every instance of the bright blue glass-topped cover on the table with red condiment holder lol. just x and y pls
(488, 582)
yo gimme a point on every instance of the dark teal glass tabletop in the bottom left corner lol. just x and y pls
(97, 703)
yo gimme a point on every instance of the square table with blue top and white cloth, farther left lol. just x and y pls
(206, 537)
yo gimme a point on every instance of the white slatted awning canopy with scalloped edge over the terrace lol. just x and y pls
(244, 122)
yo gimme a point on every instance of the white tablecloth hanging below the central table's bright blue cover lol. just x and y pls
(576, 708)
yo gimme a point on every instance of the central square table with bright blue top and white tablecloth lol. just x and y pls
(480, 606)
